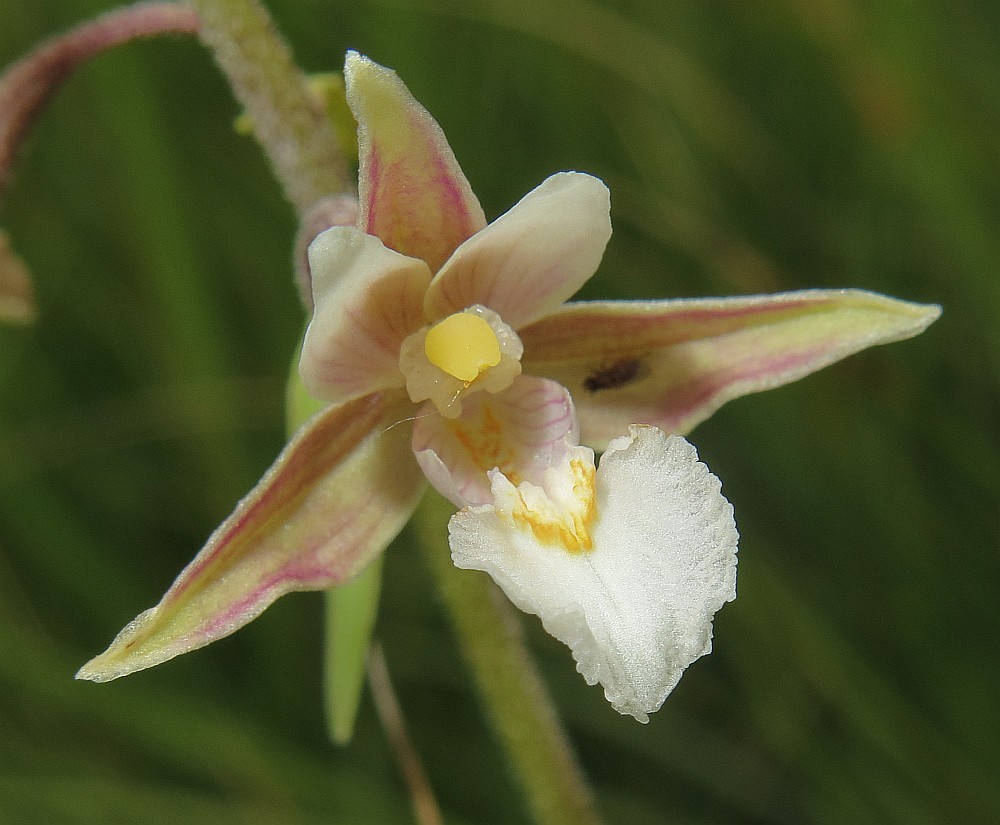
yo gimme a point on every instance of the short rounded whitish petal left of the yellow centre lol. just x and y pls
(367, 299)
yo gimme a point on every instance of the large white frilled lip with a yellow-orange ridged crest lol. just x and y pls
(635, 608)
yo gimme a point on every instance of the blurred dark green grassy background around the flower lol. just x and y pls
(750, 147)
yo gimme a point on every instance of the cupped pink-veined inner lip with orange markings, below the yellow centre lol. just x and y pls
(521, 431)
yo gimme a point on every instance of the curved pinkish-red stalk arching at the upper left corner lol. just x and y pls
(28, 84)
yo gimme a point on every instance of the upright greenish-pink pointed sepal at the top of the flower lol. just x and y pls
(414, 196)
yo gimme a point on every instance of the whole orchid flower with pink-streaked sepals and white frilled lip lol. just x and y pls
(446, 352)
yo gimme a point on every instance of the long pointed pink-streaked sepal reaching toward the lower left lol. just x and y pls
(339, 492)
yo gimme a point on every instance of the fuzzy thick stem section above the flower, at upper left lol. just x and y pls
(287, 119)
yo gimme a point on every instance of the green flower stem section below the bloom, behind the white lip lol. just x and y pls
(510, 687)
